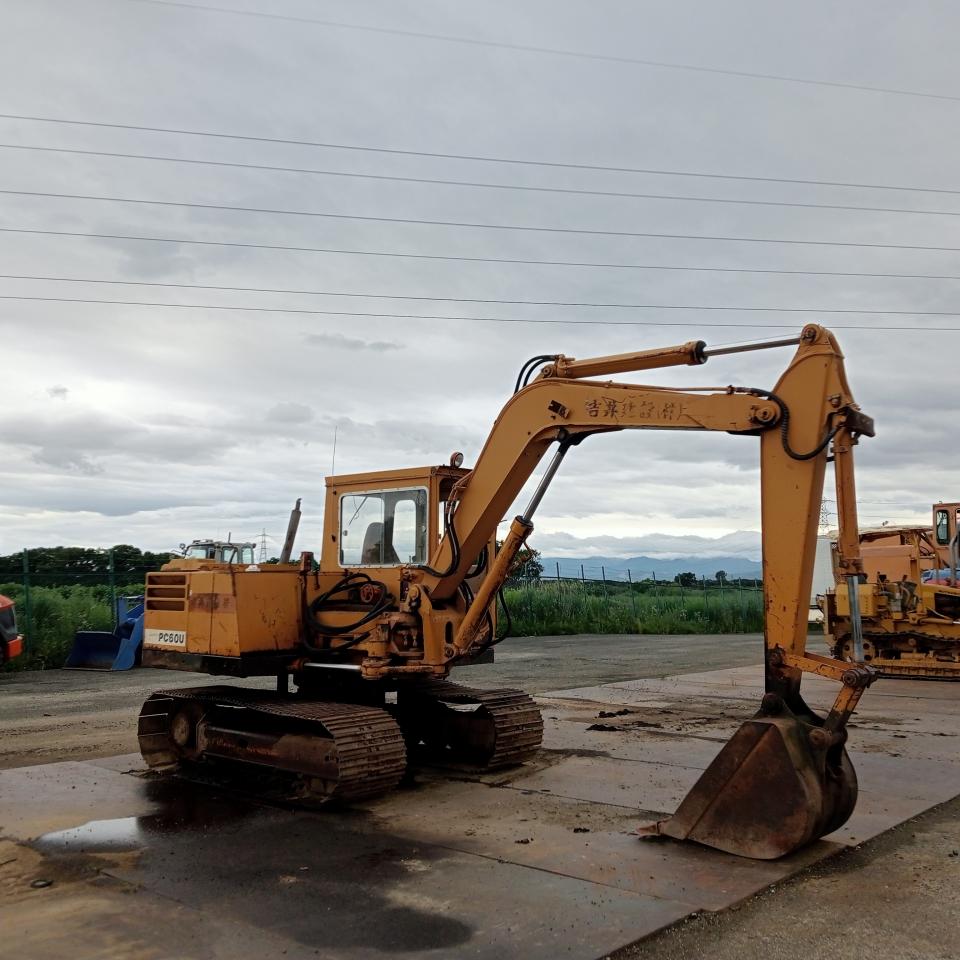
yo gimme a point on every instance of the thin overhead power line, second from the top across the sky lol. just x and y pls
(479, 158)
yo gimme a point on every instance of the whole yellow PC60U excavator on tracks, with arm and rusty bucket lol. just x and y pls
(405, 588)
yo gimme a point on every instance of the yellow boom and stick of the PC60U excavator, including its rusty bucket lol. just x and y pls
(788, 762)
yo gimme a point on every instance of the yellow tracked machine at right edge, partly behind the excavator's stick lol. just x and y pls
(909, 604)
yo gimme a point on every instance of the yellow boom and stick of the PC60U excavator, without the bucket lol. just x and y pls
(809, 411)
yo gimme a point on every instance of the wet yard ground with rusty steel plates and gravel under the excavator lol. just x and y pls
(562, 875)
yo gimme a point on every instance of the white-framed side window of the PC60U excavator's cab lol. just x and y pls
(383, 528)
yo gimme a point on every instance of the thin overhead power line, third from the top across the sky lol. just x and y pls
(435, 181)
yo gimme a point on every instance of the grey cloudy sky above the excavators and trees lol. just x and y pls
(125, 422)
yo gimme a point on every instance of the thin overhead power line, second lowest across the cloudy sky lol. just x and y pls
(482, 300)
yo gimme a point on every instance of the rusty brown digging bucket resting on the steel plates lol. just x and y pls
(781, 782)
